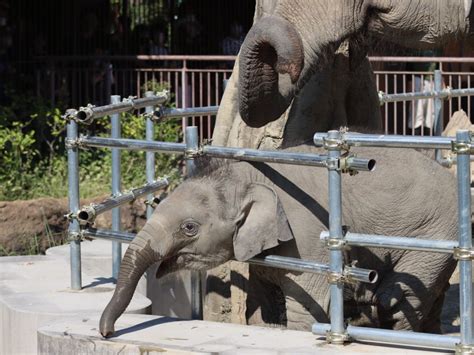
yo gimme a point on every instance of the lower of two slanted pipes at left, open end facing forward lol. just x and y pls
(88, 214)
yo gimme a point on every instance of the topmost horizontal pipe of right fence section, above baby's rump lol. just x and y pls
(392, 141)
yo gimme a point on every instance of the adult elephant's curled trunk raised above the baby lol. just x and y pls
(271, 49)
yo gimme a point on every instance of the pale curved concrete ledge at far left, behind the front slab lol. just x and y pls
(34, 291)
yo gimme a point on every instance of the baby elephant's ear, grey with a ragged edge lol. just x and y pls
(261, 223)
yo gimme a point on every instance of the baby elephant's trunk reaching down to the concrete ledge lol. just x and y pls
(141, 254)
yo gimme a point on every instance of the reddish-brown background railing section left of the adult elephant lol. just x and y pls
(193, 81)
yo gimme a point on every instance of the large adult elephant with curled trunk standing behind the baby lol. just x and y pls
(303, 64)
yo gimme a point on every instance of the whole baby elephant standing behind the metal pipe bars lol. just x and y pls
(240, 209)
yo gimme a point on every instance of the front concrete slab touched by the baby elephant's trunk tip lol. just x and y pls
(139, 334)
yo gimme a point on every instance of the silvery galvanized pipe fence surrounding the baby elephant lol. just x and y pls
(336, 332)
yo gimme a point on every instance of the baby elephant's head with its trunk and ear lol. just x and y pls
(203, 223)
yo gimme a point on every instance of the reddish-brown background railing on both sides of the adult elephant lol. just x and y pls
(196, 81)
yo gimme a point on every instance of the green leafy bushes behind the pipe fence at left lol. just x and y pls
(33, 157)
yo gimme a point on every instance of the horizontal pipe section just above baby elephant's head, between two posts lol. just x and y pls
(270, 156)
